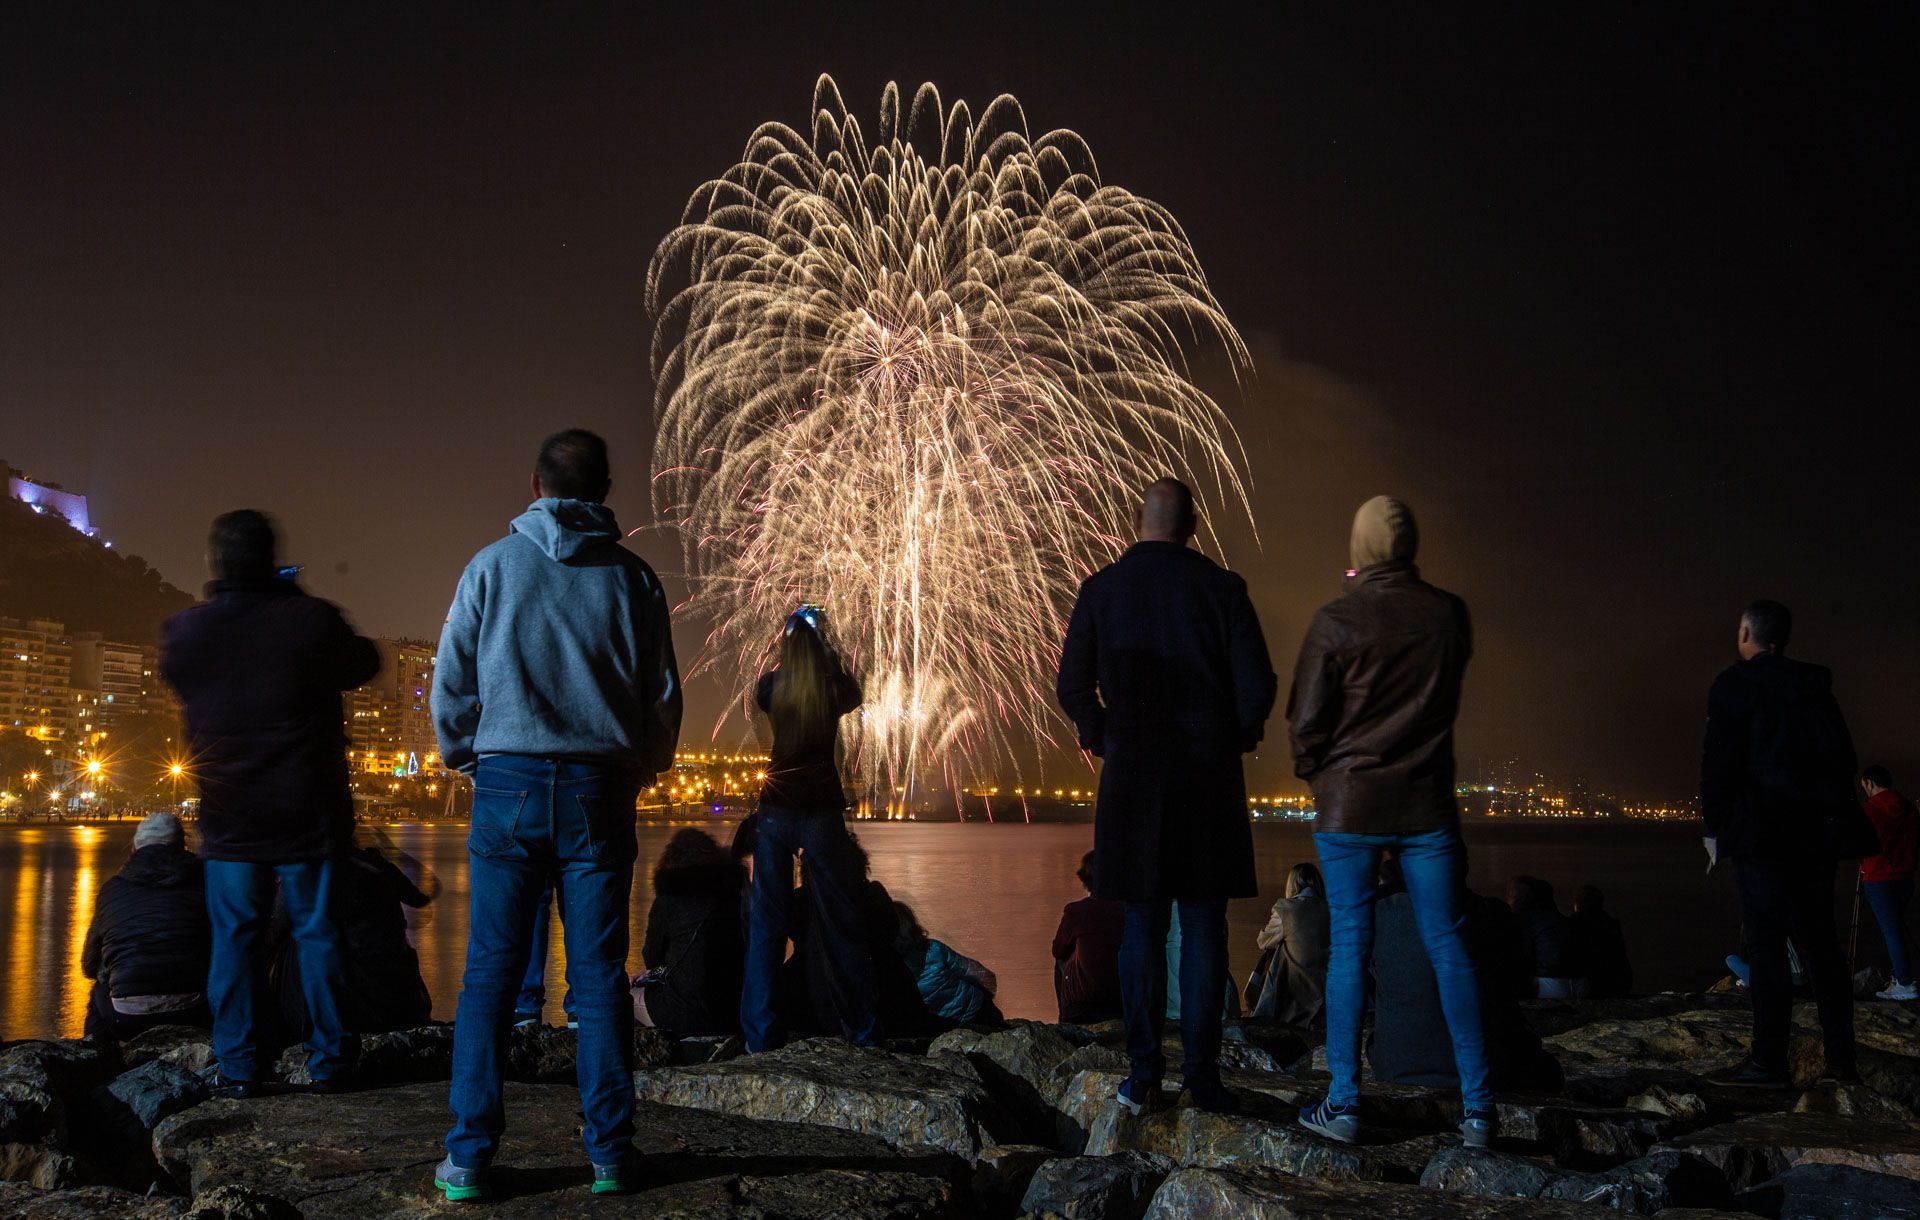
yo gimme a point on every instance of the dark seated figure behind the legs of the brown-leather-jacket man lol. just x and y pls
(1410, 1040)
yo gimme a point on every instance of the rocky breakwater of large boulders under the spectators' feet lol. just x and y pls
(984, 1123)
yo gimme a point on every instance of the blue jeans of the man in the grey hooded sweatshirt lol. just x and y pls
(546, 823)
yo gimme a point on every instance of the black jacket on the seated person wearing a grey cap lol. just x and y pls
(151, 933)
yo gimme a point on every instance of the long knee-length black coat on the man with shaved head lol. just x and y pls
(1166, 677)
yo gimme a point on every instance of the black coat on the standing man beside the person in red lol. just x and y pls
(1777, 760)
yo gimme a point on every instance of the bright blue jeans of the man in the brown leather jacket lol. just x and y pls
(1433, 866)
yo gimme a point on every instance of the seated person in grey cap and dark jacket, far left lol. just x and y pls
(151, 939)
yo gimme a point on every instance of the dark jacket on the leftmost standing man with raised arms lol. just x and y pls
(260, 670)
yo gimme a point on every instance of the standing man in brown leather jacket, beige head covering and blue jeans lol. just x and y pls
(1372, 721)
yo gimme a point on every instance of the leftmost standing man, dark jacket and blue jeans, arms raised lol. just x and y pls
(260, 668)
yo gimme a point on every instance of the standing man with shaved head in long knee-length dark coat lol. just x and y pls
(1166, 677)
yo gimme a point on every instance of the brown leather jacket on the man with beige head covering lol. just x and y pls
(1374, 702)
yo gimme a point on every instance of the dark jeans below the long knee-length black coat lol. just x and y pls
(1143, 987)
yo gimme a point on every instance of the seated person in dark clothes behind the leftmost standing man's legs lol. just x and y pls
(383, 973)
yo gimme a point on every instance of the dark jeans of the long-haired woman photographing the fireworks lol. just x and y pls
(832, 881)
